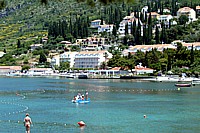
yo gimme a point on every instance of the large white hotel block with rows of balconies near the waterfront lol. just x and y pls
(90, 59)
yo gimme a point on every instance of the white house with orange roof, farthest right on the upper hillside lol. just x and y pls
(189, 12)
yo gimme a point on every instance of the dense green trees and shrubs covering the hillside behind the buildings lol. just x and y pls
(23, 23)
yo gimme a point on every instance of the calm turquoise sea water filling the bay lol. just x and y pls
(117, 106)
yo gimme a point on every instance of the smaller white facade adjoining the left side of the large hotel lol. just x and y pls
(68, 57)
